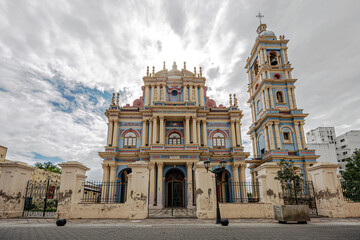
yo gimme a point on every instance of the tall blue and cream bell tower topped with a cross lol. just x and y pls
(277, 124)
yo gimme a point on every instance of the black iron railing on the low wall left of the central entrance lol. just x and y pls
(104, 192)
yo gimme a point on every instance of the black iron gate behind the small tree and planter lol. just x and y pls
(302, 194)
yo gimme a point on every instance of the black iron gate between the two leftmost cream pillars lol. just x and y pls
(41, 198)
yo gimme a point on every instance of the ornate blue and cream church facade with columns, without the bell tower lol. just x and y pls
(172, 126)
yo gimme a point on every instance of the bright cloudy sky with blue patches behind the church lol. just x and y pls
(60, 61)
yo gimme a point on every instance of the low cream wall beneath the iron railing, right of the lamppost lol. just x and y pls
(246, 210)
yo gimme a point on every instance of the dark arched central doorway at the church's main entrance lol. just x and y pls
(174, 188)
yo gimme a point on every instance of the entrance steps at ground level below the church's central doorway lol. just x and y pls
(176, 213)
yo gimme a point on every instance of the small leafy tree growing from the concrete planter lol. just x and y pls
(289, 179)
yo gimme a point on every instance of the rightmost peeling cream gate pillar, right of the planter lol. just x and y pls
(328, 194)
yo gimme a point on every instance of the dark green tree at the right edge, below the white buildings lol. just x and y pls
(351, 177)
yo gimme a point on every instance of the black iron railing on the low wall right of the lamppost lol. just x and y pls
(238, 192)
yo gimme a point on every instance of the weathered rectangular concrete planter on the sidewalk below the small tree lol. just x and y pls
(298, 213)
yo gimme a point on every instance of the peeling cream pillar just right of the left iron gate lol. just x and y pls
(71, 188)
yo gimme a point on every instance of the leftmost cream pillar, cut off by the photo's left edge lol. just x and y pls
(13, 180)
